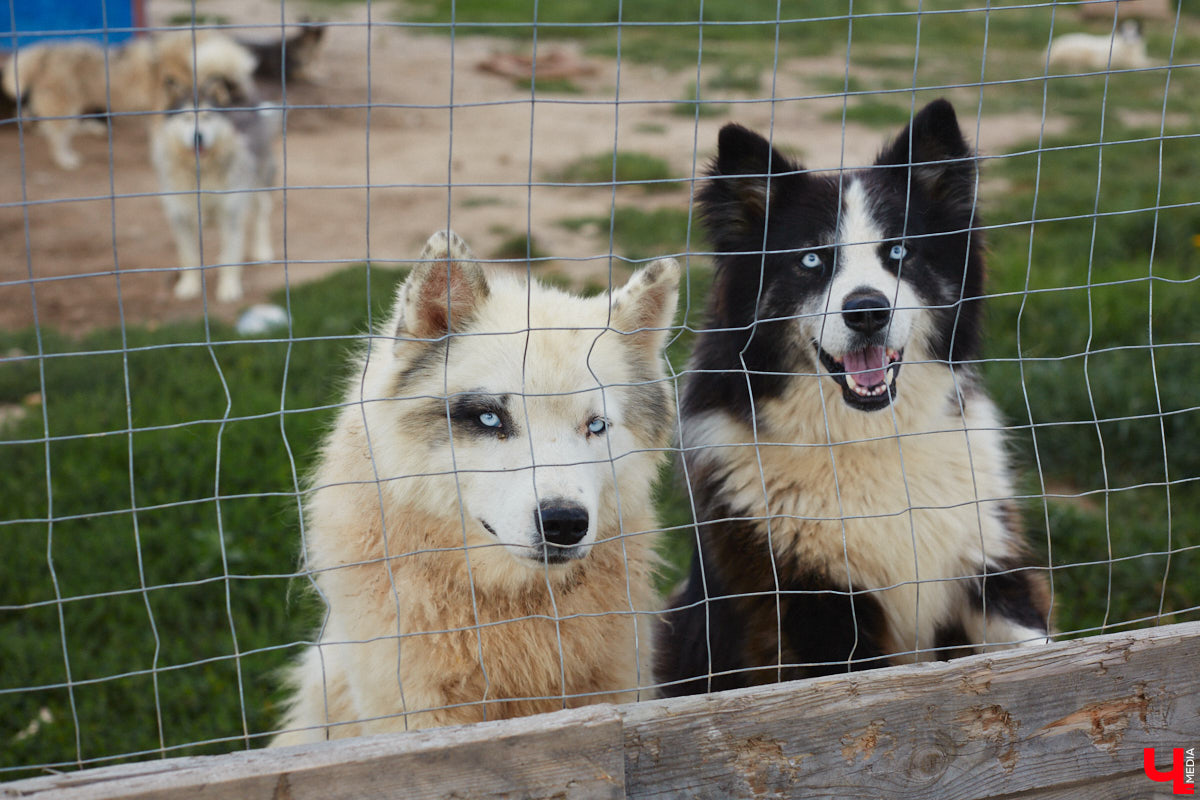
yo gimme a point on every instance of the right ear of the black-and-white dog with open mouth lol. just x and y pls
(934, 148)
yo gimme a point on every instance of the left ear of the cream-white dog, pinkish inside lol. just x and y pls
(443, 292)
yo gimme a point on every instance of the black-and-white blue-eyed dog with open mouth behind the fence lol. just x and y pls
(853, 490)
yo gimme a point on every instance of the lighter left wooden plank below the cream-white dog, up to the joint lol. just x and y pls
(574, 755)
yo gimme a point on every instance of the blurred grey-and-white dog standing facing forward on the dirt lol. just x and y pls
(214, 153)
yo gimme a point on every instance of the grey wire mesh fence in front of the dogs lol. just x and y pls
(166, 496)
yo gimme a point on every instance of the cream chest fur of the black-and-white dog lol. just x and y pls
(902, 516)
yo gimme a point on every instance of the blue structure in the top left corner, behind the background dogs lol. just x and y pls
(105, 21)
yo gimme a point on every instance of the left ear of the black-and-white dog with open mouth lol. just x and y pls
(743, 179)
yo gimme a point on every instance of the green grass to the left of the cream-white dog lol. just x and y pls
(205, 572)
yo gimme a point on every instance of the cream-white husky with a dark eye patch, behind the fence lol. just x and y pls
(478, 520)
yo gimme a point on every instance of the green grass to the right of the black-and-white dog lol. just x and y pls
(1094, 351)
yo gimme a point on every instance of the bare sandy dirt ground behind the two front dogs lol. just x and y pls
(400, 136)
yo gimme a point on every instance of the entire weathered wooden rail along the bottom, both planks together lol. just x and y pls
(1055, 723)
